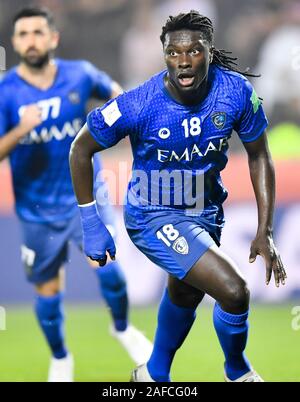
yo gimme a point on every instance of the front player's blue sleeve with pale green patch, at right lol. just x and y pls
(252, 120)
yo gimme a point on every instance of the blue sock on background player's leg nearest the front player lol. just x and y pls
(113, 288)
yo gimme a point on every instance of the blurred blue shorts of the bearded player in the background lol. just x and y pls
(45, 247)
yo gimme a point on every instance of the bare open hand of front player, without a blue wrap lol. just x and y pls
(264, 246)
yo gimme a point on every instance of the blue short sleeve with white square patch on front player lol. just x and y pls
(115, 120)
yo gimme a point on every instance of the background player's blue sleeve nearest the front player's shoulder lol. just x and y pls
(101, 82)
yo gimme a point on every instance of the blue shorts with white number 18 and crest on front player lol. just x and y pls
(170, 239)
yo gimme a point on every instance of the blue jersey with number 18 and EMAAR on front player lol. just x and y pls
(186, 142)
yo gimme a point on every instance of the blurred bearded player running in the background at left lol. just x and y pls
(42, 107)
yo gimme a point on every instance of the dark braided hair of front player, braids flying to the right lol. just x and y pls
(194, 21)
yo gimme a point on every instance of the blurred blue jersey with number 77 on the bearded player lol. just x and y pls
(40, 168)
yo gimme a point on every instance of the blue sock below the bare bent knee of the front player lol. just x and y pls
(232, 331)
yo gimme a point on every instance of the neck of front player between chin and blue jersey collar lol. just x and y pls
(189, 99)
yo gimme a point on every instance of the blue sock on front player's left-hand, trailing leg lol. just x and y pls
(174, 324)
